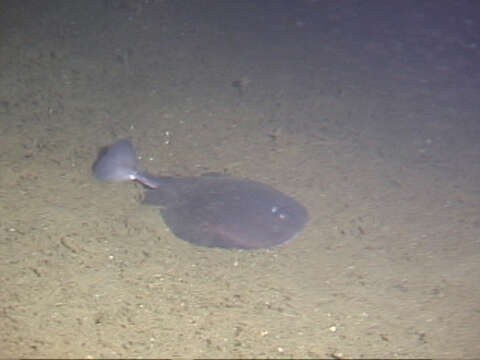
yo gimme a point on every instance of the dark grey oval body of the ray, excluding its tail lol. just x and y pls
(227, 212)
